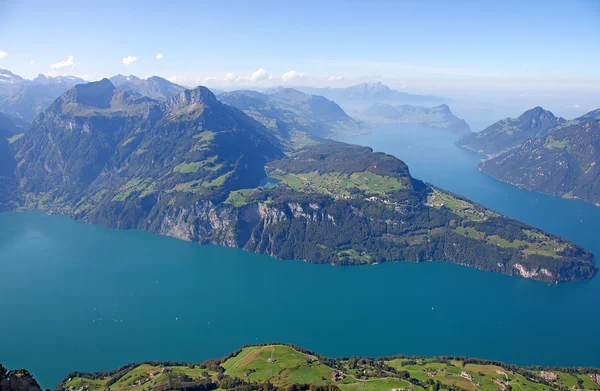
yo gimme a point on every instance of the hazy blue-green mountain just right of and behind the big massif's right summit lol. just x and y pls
(288, 111)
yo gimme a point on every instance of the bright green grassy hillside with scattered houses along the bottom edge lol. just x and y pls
(281, 366)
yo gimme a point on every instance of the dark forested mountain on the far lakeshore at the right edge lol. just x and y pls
(543, 153)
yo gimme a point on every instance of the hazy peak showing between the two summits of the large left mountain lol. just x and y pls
(154, 87)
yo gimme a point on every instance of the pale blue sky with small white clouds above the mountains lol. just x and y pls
(524, 47)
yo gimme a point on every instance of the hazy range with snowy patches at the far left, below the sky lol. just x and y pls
(25, 99)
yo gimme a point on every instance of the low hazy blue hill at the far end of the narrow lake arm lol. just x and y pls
(439, 116)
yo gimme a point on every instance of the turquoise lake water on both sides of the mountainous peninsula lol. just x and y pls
(78, 296)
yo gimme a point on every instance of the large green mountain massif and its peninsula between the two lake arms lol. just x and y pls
(191, 167)
